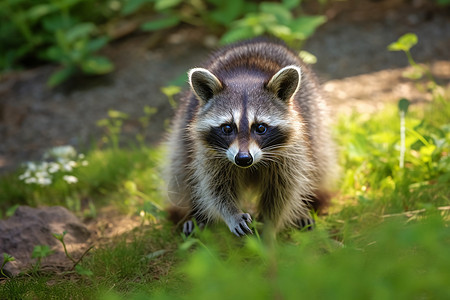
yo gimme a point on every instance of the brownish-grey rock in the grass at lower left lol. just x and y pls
(29, 227)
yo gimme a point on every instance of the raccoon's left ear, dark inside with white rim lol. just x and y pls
(204, 84)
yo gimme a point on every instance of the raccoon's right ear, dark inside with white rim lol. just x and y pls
(286, 82)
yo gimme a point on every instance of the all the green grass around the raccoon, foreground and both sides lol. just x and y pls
(386, 236)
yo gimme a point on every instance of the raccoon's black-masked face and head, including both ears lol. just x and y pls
(245, 120)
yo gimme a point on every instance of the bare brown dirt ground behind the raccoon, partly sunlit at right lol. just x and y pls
(357, 72)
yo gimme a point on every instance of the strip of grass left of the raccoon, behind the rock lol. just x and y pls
(101, 181)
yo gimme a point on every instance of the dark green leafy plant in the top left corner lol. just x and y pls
(58, 31)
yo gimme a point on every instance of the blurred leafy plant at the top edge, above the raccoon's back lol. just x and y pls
(239, 19)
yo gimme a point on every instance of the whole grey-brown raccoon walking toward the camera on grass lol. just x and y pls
(254, 118)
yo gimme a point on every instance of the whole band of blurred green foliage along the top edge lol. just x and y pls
(71, 32)
